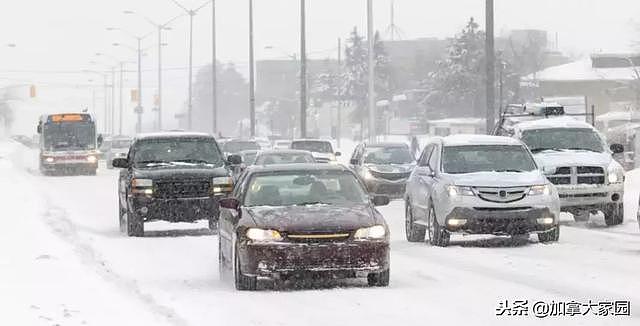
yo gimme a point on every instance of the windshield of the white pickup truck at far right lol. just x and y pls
(563, 138)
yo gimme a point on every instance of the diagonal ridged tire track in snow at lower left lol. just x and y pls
(57, 219)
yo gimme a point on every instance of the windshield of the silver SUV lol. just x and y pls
(486, 158)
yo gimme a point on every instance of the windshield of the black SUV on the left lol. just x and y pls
(177, 150)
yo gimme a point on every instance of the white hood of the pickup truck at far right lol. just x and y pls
(572, 158)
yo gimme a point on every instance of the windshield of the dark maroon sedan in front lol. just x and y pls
(305, 188)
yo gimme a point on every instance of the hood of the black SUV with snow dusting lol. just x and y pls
(181, 172)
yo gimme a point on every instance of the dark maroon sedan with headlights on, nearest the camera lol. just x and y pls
(286, 220)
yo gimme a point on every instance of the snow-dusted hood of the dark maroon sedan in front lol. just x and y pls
(312, 218)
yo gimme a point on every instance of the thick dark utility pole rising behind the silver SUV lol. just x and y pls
(490, 68)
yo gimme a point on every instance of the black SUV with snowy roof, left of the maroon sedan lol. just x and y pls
(175, 177)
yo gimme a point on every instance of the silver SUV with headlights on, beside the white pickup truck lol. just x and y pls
(476, 184)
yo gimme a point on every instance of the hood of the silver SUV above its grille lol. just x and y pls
(499, 179)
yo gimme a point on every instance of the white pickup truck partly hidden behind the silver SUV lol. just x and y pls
(578, 162)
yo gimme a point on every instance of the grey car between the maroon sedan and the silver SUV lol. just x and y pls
(383, 167)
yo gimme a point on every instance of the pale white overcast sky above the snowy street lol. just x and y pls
(65, 34)
